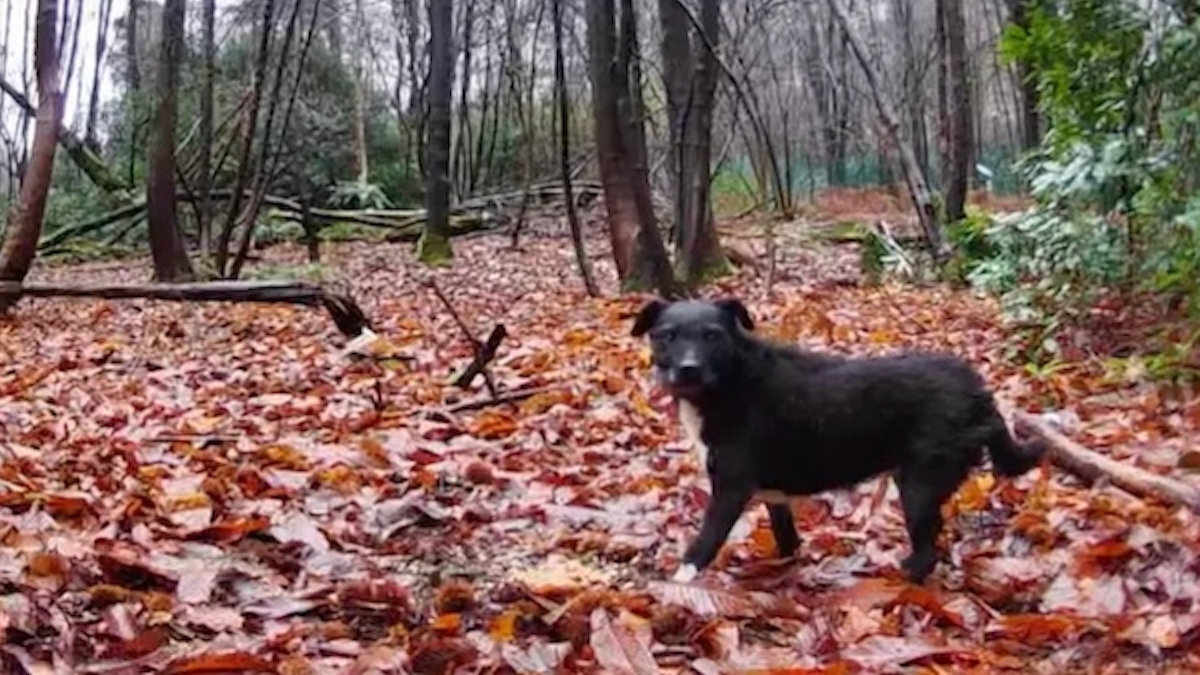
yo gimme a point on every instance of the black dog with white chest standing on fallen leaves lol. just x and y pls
(773, 421)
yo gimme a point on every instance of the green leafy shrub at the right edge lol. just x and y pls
(1114, 176)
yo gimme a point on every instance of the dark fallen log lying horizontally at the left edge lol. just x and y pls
(347, 315)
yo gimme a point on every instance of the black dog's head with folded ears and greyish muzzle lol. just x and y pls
(694, 344)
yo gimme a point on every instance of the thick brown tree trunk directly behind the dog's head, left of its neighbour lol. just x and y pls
(637, 248)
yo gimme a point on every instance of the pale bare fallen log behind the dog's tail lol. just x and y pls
(1094, 467)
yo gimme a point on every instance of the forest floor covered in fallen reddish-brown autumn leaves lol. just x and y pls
(218, 488)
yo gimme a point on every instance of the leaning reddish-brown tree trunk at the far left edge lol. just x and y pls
(26, 218)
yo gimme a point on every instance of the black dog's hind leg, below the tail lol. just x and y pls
(925, 487)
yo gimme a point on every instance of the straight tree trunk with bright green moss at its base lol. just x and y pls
(435, 244)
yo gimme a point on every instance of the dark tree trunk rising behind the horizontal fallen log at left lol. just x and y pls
(171, 261)
